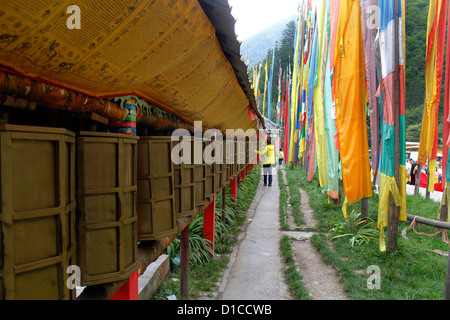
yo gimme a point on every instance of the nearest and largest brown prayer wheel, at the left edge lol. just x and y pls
(37, 215)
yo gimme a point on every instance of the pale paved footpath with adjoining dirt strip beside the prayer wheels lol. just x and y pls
(256, 267)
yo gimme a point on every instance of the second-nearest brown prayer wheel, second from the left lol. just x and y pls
(107, 187)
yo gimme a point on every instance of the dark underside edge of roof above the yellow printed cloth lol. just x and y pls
(219, 13)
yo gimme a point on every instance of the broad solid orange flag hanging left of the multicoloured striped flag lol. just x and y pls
(350, 103)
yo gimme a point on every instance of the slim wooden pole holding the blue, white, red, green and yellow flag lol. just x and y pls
(394, 210)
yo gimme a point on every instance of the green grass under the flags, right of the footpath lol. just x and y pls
(409, 273)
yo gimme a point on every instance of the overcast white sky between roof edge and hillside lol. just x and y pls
(255, 15)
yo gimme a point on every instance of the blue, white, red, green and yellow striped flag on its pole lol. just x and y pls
(392, 190)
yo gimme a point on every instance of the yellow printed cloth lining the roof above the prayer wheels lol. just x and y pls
(165, 52)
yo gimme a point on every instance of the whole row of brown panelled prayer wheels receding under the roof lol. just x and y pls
(87, 199)
